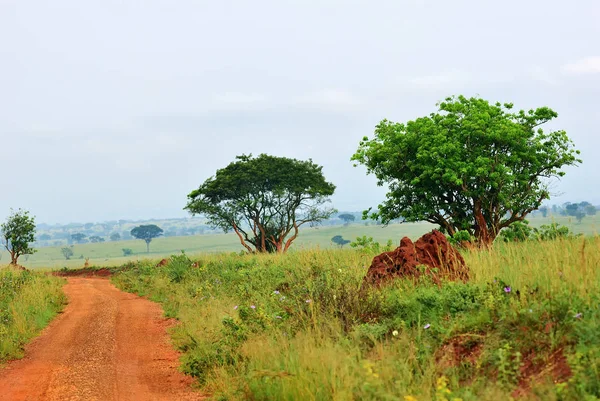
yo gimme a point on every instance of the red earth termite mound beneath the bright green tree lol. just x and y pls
(431, 255)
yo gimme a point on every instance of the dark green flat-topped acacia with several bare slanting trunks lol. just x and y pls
(264, 200)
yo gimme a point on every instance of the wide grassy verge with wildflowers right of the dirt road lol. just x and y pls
(296, 327)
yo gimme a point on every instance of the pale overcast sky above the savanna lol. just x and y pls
(118, 109)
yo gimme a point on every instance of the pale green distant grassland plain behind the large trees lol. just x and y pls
(110, 253)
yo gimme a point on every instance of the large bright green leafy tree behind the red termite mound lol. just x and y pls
(471, 166)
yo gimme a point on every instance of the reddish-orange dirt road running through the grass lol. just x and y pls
(107, 345)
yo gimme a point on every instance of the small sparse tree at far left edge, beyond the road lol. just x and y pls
(17, 232)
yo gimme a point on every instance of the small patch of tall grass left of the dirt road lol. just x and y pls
(28, 301)
